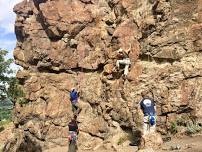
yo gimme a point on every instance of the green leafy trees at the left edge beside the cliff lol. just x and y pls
(10, 89)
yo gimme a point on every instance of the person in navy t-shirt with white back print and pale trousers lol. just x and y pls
(148, 108)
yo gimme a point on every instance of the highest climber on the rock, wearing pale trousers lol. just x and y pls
(123, 59)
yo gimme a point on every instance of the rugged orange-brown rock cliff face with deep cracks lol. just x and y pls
(63, 44)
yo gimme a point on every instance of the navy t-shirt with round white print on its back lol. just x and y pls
(147, 106)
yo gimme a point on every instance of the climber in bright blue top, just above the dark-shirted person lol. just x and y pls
(74, 98)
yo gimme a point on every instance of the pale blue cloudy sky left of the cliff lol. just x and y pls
(7, 20)
